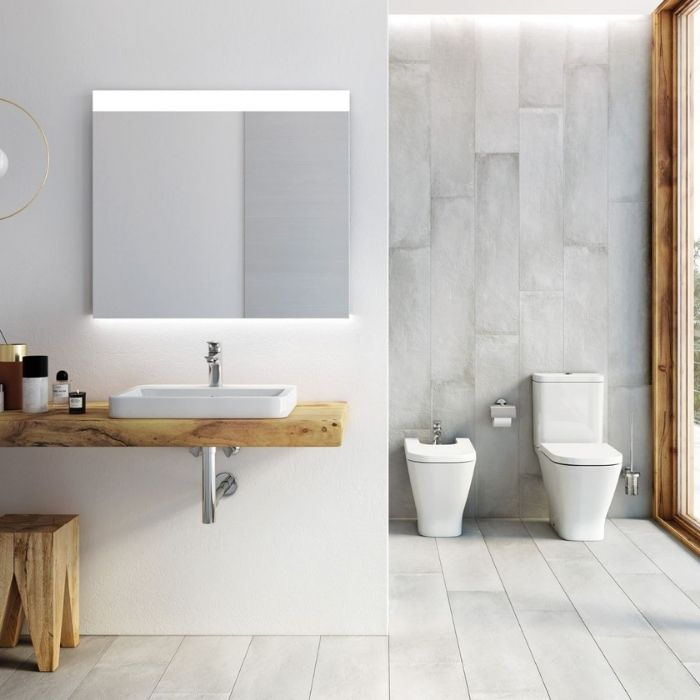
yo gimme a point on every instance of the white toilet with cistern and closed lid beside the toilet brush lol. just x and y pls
(580, 471)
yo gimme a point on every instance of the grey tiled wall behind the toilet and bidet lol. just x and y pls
(519, 236)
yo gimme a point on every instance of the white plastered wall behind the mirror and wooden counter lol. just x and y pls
(302, 547)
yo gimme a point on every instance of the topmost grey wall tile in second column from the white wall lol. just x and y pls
(452, 106)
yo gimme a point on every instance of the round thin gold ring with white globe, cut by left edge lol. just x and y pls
(24, 158)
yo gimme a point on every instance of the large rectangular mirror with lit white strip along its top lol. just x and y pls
(220, 204)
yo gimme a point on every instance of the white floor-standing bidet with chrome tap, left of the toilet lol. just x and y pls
(441, 476)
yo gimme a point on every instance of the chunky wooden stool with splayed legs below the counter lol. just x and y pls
(39, 579)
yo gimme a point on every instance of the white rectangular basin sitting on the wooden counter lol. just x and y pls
(202, 401)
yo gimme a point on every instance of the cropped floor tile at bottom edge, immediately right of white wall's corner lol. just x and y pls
(428, 682)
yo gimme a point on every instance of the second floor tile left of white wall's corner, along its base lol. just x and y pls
(277, 668)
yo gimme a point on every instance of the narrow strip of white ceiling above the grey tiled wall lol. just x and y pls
(522, 7)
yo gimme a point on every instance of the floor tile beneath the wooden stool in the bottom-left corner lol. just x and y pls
(26, 683)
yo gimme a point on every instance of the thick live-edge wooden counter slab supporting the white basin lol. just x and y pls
(309, 425)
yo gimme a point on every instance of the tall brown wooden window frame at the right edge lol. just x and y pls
(671, 179)
